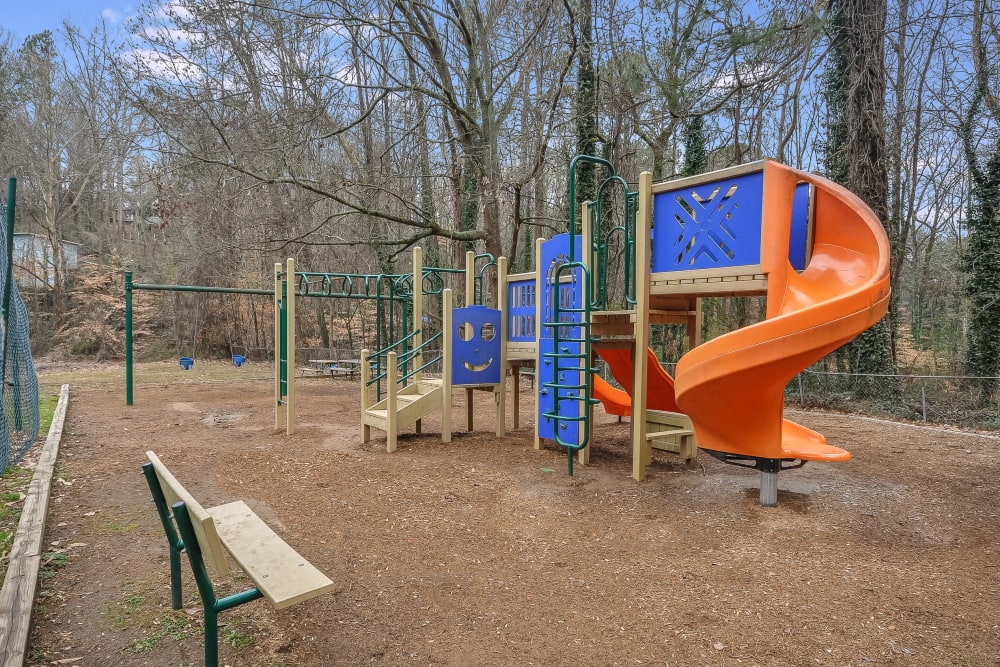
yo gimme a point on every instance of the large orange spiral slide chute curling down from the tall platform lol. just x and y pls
(732, 387)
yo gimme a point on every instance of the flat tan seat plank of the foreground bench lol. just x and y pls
(281, 574)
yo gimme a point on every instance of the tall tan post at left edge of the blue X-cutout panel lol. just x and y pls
(641, 450)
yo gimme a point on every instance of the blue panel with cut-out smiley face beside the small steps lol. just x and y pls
(475, 346)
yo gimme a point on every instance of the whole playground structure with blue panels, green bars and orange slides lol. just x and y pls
(813, 249)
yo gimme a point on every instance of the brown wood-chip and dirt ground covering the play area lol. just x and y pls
(484, 551)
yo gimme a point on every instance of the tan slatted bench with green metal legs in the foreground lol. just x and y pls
(277, 571)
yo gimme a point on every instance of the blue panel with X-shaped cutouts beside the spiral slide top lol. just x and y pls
(709, 226)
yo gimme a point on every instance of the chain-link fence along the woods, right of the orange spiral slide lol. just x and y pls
(939, 399)
